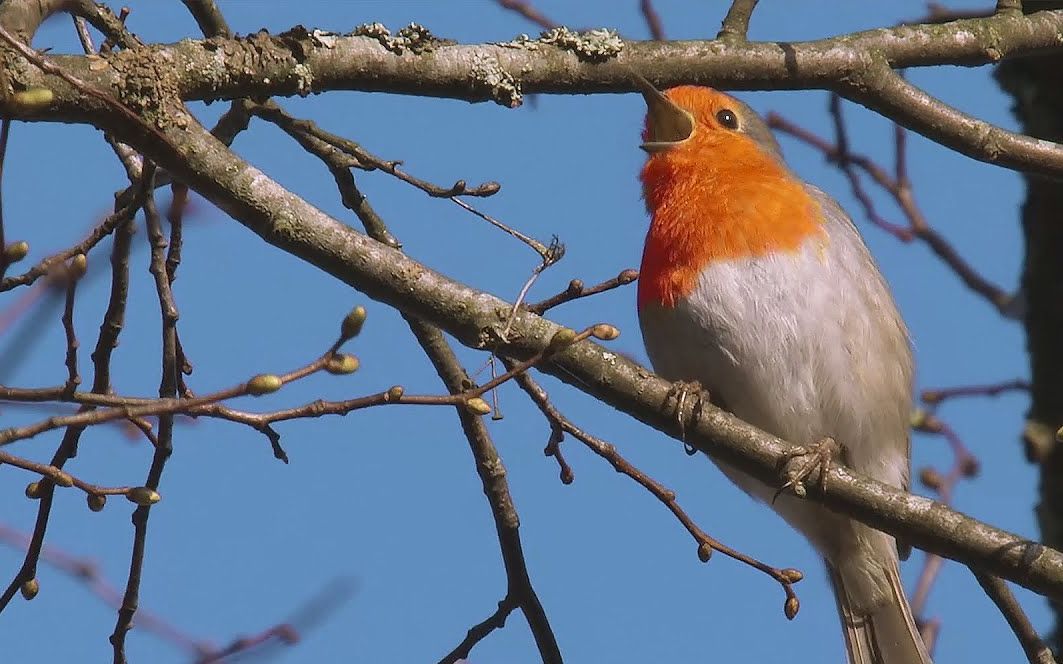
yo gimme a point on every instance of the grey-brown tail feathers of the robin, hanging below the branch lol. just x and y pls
(885, 636)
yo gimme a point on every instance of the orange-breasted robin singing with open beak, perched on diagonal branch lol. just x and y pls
(757, 286)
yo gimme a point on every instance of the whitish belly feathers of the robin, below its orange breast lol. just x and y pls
(803, 346)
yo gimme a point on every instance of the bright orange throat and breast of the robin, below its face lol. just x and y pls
(738, 203)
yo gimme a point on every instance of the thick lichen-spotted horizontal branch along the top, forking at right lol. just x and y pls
(300, 62)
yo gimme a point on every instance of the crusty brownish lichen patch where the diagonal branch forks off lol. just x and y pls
(148, 84)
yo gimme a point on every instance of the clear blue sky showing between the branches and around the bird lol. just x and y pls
(390, 498)
